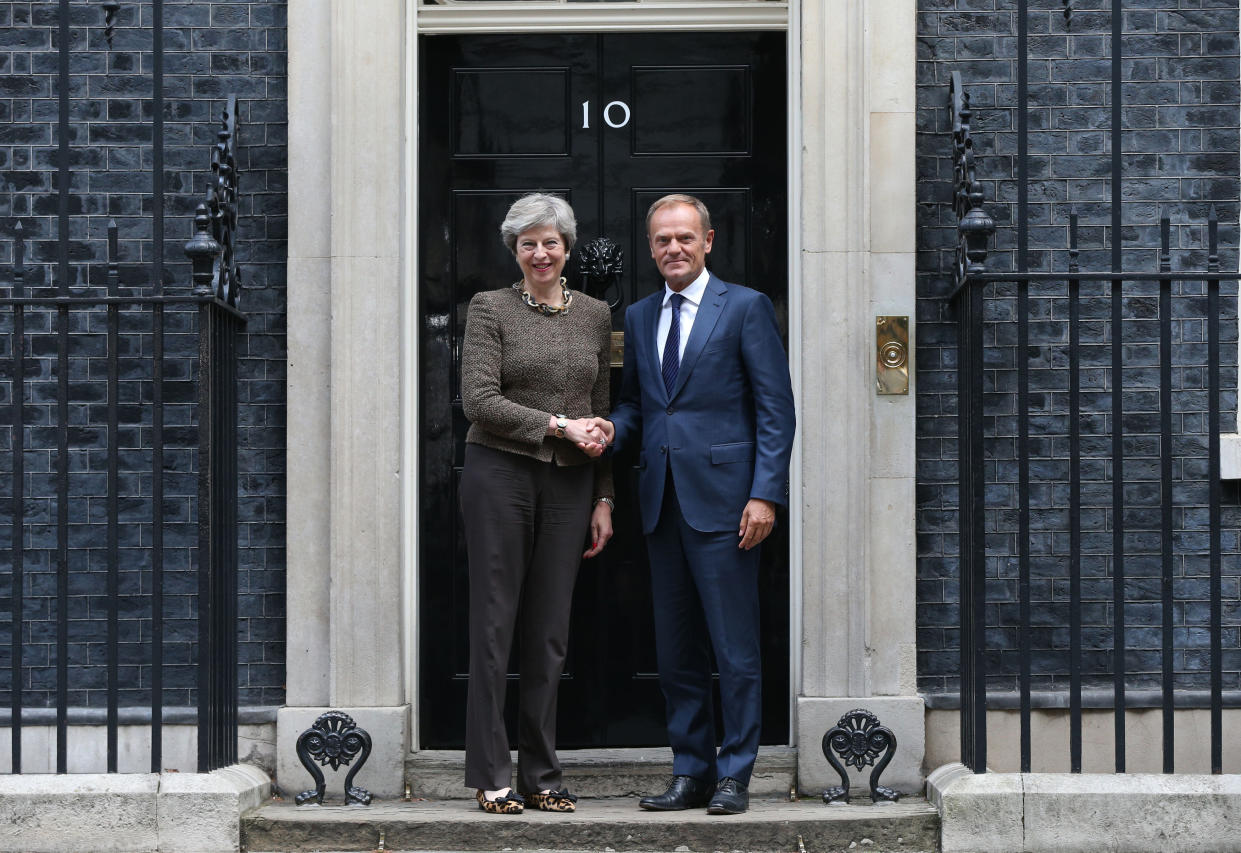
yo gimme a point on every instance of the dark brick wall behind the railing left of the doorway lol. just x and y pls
(213, 50)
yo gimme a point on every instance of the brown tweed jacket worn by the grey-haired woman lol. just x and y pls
(519, 368)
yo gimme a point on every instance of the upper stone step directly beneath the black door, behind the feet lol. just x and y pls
(598, 773)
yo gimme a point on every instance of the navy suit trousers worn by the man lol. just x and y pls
(706, 593)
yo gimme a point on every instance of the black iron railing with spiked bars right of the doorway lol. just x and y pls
(1099, 563)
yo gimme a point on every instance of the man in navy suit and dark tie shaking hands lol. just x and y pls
(707, 394)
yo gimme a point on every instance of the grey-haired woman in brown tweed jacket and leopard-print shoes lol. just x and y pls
(534, 369)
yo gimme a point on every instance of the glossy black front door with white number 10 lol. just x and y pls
(612, 122)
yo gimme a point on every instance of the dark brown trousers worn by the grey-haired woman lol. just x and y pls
(526, 532)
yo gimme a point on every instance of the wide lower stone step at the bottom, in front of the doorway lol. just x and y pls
(600, 825)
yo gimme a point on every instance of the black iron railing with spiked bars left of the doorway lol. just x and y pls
(152, 429)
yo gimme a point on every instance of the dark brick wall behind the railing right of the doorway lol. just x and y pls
(1181, 152)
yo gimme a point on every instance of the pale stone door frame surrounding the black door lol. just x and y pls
(351, 336)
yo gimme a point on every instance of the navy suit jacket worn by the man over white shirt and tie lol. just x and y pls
(727, 430)
